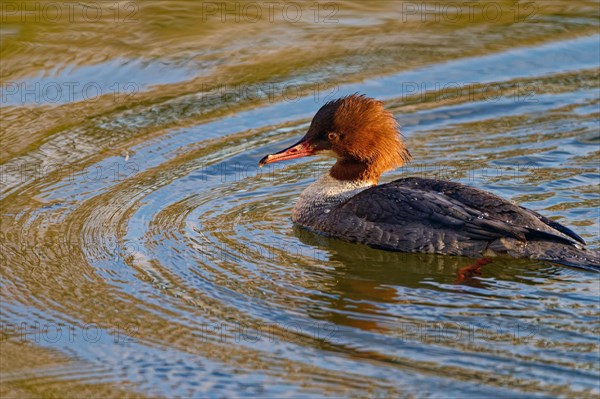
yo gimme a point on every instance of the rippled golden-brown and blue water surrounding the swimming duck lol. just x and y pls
(144, 252)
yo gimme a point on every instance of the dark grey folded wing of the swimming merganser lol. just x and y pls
(420, 215)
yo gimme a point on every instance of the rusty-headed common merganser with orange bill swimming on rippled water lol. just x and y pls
(412, 214)
